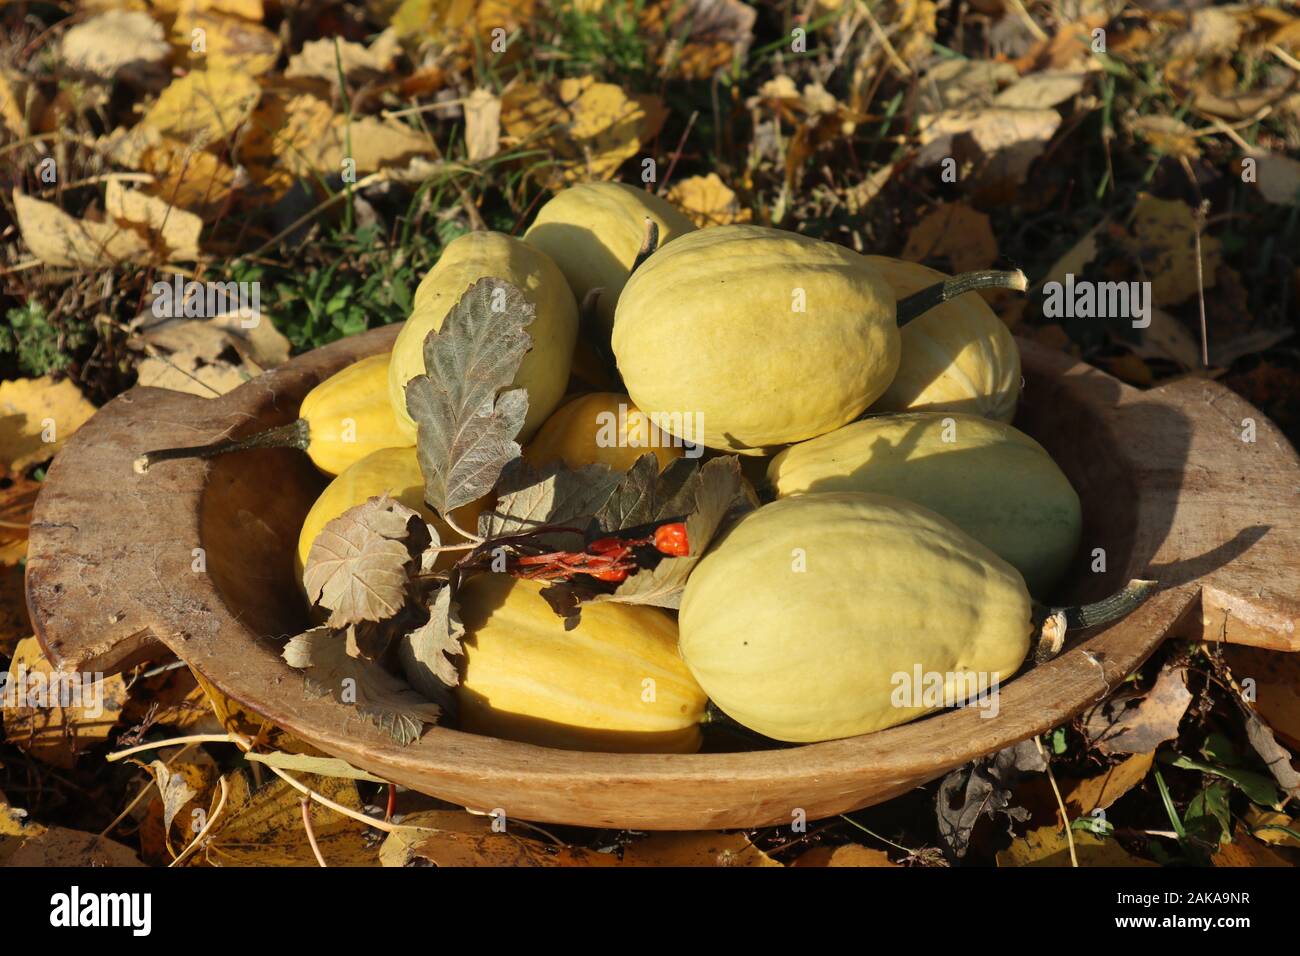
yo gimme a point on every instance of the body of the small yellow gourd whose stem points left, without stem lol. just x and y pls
(349, 416)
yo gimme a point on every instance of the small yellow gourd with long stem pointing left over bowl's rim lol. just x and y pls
(341, 421)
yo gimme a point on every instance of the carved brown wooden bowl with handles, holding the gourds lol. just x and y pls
(1169, 488)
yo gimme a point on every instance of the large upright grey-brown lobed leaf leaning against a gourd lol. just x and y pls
(467, 423)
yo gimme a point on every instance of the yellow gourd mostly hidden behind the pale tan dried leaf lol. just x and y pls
(388, 471)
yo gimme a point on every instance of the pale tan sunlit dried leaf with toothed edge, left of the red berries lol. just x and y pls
(357, 566)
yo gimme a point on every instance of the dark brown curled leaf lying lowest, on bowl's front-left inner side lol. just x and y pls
(378, 695)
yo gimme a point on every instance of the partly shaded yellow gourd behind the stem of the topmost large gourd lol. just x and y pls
(957, 357)
